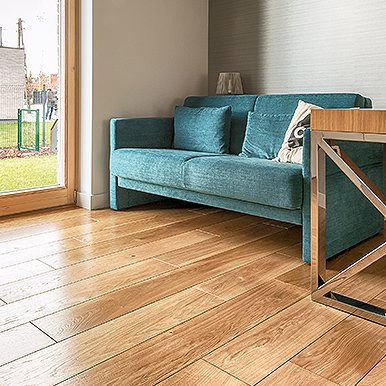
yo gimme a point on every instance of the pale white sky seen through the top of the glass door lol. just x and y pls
(40, 32)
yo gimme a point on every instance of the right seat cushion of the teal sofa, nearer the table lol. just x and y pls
(254, 180)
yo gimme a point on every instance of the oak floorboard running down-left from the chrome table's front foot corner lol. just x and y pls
(255, 354)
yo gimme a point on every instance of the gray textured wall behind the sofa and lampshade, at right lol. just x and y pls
(284, 46)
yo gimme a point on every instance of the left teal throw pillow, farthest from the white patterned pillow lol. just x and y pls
(205, 129)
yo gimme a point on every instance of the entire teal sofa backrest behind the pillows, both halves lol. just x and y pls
(271, 104)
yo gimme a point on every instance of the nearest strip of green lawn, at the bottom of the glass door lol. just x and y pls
(28, 172)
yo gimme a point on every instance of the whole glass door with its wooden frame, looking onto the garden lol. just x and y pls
(37, 103)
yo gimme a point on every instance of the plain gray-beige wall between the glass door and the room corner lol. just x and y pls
(138, 59)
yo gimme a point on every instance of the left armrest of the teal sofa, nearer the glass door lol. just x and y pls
(141, 132)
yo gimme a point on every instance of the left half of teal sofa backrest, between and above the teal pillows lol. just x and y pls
(240, 104)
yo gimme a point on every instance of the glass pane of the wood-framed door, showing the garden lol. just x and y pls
(30, 94)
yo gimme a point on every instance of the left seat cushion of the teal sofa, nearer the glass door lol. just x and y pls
(157, 166)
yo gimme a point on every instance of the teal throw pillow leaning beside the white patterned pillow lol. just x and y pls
(264, 134)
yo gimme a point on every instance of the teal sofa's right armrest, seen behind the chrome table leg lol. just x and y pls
(351, 219)
